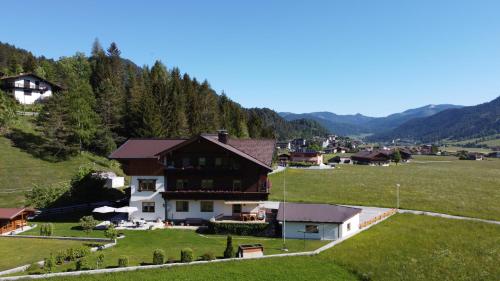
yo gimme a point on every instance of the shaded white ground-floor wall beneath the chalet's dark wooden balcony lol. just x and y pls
(220, 207)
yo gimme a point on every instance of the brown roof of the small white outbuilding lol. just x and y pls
(315, 213)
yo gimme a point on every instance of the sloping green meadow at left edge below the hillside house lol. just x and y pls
(20, 167)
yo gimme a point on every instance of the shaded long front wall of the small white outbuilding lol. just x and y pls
(327, 231)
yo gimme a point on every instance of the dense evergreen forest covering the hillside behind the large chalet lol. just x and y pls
(108, 99)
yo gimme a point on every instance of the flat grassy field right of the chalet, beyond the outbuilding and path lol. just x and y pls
(440, 184)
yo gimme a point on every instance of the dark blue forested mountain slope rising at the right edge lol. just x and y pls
(453, 124)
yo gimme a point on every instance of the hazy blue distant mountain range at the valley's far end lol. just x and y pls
(358, 124)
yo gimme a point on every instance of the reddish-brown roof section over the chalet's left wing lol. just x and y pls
(143, 148)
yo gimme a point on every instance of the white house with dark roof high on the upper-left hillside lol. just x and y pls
(28, 88)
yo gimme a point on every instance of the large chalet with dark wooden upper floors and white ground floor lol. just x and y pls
(207, 176)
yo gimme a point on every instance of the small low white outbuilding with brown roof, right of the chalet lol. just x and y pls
(318, 221)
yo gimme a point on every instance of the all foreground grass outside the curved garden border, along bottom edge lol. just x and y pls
(404, 247)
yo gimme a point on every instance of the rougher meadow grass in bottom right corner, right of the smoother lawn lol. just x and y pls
(410, 247)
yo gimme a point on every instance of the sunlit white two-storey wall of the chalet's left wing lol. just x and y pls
(137, 197)
